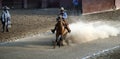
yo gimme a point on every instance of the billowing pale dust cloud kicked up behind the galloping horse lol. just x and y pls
(82, 32)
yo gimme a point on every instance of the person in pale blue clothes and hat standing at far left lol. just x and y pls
(5, 19)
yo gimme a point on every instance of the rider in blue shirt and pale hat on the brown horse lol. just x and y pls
(64, 16)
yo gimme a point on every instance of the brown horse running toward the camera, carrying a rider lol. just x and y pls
(61, 33)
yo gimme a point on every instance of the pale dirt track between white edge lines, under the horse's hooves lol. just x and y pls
(39, 47)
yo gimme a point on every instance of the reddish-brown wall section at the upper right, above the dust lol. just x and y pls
(97, 5)
